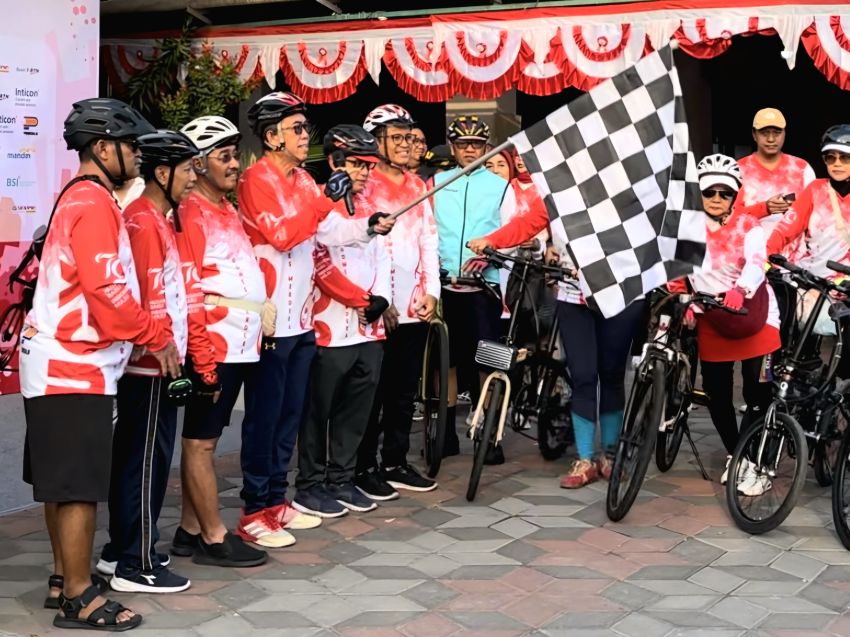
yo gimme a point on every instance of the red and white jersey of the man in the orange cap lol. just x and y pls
(790, 175)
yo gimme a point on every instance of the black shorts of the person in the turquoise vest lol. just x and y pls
(470, 317)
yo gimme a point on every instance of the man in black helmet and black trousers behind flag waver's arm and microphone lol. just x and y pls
(349, 332)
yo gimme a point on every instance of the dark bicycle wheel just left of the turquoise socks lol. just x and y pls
(554, 424)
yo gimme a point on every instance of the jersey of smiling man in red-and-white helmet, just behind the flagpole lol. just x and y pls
(412, 244)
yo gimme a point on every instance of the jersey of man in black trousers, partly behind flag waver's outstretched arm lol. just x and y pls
(344, 276)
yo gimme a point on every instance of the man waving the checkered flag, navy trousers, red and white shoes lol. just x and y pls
(284, 213)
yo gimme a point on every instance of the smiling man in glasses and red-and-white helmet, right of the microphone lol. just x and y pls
(415, 288)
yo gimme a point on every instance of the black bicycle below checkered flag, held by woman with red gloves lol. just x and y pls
(659, 401)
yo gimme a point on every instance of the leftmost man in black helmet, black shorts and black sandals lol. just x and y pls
(75, 344)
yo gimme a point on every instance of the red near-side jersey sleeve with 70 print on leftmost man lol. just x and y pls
(94, 243)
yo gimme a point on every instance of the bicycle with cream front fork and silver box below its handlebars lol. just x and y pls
(488, 421)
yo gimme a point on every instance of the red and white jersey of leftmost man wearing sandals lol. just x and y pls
(86, 314)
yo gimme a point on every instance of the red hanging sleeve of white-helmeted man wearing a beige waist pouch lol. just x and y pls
(191, 245)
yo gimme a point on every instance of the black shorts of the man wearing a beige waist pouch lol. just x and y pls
(205, 420)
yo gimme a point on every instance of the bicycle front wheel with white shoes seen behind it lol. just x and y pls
(776, 456)
